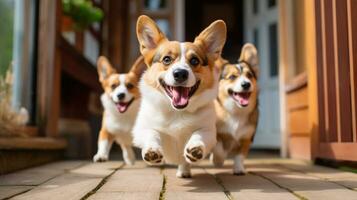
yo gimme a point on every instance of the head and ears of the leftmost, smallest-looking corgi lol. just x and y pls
(121, 88)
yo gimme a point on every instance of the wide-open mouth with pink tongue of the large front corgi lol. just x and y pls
(179, 95)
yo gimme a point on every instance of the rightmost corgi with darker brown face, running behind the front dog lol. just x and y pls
(237, 108)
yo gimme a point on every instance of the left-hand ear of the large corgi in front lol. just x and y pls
(148, 33)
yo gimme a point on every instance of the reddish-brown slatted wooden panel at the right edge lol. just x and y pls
(336, 56)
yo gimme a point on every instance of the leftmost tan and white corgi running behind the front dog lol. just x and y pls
(121, 100)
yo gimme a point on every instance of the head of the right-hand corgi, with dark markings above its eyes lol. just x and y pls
(239, 81)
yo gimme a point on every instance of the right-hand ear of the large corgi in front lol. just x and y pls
(212, 39)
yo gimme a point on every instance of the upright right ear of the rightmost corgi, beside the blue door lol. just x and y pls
(249, 55)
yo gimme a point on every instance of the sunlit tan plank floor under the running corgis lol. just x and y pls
(267, 179)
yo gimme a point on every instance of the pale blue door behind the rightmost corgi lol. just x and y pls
(261, 29)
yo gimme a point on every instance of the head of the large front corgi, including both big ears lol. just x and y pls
(180, 71)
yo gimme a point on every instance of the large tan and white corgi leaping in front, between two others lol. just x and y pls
(176, 120)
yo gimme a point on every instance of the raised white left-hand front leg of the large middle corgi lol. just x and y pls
(152, 150)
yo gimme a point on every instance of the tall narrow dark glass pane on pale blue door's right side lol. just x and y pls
(273, 46)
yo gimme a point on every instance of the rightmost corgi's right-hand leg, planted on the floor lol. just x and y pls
(238, 167)
